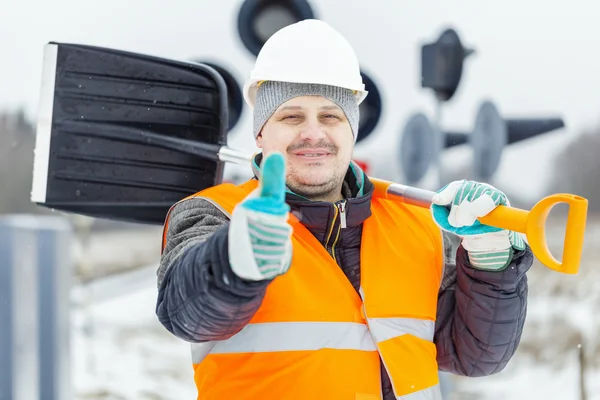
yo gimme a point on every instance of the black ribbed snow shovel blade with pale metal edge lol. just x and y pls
(96, 104)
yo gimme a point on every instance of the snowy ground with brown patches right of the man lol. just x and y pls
(562, 313)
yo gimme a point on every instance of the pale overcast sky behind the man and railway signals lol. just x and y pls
(533, 57)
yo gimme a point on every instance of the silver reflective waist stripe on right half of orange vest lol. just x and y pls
(387, 328)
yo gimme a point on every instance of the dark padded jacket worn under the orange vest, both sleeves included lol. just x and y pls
(480, 314)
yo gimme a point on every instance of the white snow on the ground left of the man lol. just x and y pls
(130, 355)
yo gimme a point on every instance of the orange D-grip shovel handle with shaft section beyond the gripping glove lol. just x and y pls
(532, 223)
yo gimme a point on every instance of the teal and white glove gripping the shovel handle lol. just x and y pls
(489, 248)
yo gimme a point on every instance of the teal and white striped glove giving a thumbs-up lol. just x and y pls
(260, 245)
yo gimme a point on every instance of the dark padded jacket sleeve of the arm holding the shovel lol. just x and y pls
(480, 314)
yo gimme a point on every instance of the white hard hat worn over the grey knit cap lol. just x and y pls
(308, 51)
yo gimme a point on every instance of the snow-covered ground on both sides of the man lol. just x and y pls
(128, 355)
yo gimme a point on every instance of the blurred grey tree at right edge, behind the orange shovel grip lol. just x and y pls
(577, 167)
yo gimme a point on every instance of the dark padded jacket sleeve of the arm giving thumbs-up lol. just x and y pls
(199, 297)
